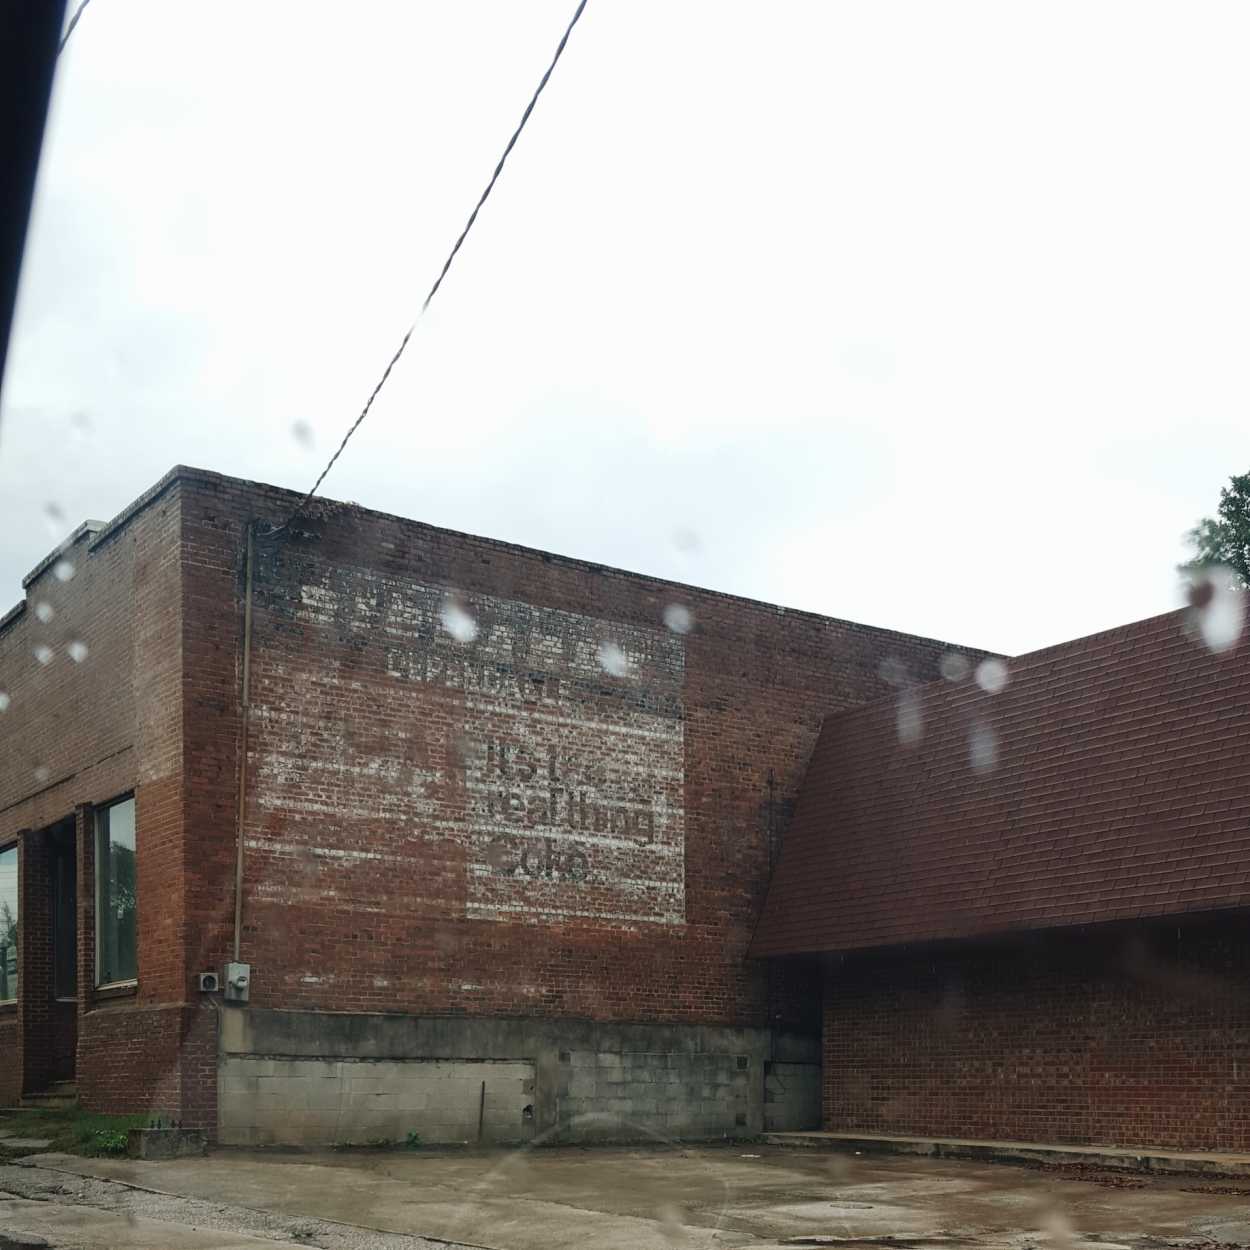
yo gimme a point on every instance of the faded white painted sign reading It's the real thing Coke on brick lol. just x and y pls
(549, 746)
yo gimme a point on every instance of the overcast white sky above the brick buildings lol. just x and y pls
(929, 316)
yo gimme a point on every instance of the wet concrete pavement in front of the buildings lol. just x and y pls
(697, 1198)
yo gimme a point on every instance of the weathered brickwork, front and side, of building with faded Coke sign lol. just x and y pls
(437, 828)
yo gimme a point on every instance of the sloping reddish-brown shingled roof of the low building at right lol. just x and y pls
(1118, 787)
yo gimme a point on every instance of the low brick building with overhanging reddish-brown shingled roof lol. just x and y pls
(1029, 907)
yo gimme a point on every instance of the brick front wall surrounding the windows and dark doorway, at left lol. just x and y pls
(79, 733)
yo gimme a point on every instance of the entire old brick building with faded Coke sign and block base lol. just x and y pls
(491, 842)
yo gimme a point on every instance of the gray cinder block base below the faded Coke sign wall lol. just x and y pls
(306, 1078)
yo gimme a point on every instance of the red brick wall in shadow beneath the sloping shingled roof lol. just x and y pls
(1133, 1038)
